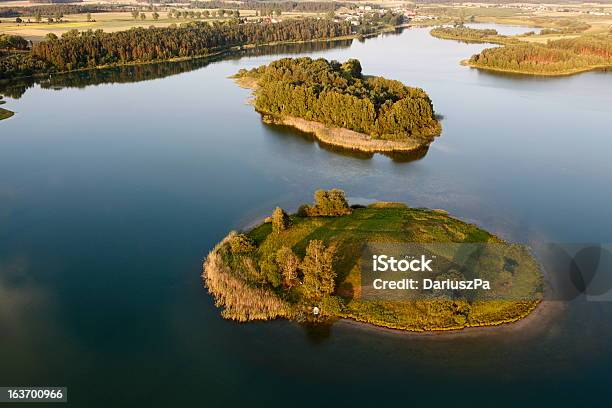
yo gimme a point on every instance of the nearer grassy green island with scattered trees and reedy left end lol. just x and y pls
(306, 267)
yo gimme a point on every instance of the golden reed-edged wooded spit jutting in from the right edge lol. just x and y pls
(555, 57)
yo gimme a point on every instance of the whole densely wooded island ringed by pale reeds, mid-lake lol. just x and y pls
(341, 106)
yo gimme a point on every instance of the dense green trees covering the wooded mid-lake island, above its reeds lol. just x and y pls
(340, 96)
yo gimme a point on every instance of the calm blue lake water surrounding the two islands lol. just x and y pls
(111, 195)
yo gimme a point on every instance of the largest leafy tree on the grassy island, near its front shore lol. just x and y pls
(317, 266)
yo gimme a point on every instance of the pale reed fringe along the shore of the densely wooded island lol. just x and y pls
(337, 137)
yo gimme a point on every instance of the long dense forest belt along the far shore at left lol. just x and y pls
(90, 49)
